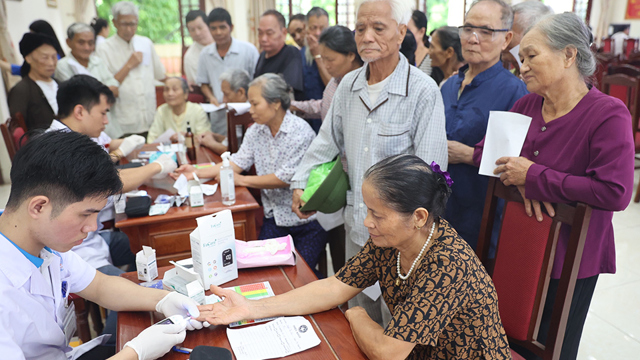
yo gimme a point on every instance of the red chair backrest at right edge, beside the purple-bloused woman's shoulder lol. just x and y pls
(625, 88)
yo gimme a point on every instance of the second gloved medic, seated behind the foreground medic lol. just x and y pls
(84, 103)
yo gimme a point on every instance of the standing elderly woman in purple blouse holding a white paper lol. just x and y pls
(579, 148)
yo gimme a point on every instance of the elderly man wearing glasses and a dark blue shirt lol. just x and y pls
(480, 86)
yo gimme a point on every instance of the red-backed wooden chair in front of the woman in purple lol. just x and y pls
(522, 267)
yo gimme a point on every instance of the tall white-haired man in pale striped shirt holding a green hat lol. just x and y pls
(385, 108)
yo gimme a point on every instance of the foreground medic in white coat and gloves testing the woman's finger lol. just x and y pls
(59, 182)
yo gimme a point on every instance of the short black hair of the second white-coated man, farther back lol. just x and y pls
(82, 90)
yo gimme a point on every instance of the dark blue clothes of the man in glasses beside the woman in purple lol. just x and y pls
(466, 121)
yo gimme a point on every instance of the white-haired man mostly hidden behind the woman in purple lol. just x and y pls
(525, 15)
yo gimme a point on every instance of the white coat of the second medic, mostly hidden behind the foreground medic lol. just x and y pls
(94, 250)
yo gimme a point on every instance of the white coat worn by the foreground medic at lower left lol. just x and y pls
(32, 303)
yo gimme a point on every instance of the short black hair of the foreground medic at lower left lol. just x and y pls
(66, 167)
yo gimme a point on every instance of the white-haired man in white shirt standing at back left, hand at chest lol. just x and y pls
(134, 62)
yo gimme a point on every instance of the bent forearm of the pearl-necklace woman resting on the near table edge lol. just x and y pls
(371, 339)
